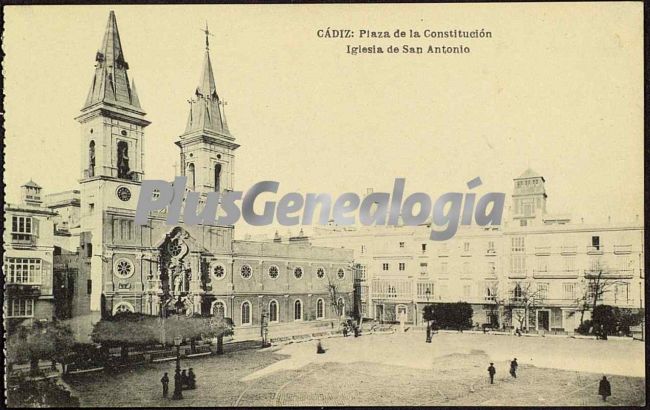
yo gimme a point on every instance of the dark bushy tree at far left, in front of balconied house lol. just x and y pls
(43, 341)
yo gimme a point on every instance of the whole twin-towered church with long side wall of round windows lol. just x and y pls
(184, 269)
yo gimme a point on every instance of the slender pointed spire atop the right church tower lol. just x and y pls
(205, 112)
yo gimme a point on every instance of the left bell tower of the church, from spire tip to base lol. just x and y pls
(112, 165)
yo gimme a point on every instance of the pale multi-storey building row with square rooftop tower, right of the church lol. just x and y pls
(535, 271)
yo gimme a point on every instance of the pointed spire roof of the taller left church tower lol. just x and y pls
(110, 83)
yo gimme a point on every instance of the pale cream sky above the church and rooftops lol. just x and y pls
(558, 88)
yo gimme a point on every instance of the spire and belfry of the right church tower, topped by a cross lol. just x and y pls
(207, 146)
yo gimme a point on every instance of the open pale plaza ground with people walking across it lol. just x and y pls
(397, 369)
